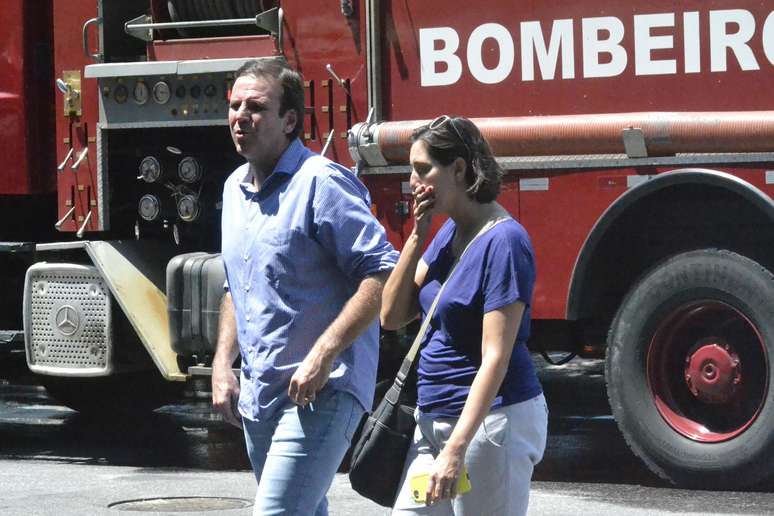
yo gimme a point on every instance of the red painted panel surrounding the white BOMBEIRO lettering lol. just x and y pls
(710, 91)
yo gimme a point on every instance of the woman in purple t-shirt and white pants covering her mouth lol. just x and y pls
(480, 407)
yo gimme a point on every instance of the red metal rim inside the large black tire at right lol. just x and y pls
(707, 371)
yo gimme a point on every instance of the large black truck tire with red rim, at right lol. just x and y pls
(689, 368)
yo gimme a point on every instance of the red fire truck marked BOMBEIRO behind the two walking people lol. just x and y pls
(638, 139)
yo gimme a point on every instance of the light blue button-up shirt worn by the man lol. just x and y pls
(295, 251)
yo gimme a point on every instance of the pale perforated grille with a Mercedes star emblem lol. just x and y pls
(67, 322)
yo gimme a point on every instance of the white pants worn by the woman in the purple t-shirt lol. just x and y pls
(500, 459)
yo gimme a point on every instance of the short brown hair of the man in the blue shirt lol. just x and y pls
(290, 80)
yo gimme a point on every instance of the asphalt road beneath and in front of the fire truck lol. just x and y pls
(53, 461)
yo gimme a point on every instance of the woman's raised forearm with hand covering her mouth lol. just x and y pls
(400, 298)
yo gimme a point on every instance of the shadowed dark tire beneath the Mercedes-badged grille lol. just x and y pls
(124, 394)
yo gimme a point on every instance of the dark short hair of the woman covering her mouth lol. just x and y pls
(460, 138)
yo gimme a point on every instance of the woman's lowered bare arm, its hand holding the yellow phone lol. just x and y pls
(499, 334)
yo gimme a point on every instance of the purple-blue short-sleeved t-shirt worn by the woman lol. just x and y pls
(498, 269)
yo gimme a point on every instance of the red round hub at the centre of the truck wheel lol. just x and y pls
(713, 373)
